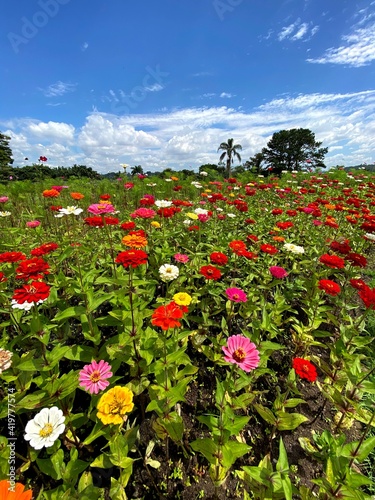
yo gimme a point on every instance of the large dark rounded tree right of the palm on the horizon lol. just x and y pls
(294, 149)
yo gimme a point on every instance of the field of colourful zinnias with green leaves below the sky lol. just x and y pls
(188, 338)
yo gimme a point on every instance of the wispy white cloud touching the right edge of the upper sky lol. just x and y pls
(357, 49)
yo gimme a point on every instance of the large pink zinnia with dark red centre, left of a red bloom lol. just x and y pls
(242, 352)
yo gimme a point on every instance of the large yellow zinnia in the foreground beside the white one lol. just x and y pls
(114, 404)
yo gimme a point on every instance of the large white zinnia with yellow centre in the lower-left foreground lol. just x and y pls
(45, 428)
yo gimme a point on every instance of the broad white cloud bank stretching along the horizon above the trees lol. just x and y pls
(186, 138)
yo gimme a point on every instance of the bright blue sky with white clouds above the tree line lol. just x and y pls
(163, 83)
